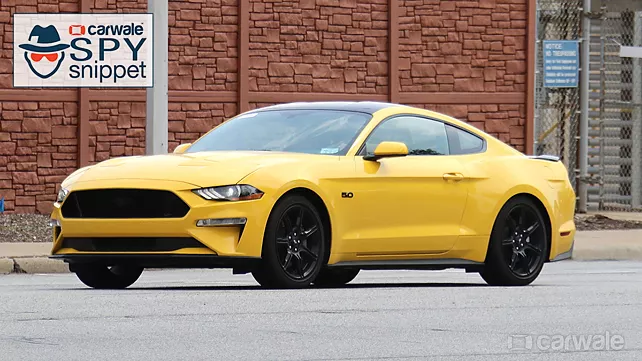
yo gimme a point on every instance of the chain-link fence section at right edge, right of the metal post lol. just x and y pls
(615, 129)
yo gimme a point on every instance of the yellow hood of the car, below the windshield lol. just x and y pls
(203, 169)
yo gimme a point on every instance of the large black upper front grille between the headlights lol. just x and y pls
(123, 203)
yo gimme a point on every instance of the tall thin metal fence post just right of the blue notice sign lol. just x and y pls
(582, 190)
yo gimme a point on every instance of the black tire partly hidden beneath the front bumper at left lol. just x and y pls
(103, 277)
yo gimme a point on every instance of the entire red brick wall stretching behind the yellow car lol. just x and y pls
(295, 47)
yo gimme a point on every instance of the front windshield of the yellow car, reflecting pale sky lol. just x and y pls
(310, 131)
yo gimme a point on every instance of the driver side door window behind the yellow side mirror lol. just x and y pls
(422, 136)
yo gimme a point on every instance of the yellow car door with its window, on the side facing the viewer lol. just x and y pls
(409, 205)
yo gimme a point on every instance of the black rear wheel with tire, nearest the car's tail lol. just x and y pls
(518, 246)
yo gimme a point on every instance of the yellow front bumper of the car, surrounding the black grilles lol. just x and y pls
(221, 241)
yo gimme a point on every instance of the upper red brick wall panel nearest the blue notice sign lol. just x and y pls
(463, 46)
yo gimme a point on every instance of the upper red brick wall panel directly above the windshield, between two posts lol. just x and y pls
(334, 46)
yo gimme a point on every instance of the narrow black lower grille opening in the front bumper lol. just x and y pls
(131, 244)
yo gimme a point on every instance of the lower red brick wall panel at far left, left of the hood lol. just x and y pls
(38, 149)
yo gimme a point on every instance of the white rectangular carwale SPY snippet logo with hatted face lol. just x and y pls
(83, 50)
